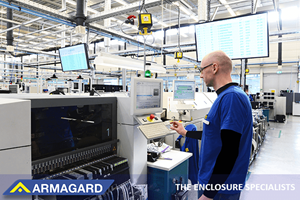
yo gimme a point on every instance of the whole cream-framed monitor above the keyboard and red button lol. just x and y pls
(146, 94)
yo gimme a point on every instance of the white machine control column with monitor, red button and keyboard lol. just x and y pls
(138, 122)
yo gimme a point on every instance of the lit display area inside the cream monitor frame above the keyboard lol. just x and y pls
(148, 95)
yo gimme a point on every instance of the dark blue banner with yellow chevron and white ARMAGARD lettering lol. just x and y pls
(58, 187)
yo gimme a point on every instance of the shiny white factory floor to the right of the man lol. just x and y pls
(279, 155)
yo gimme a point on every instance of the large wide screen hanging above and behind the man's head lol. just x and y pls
(240, 37)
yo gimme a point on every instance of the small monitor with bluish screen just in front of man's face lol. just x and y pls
(183, 90)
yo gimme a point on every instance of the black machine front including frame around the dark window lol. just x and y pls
(68, 129)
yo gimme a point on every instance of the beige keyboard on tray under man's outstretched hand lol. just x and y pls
(155, 130)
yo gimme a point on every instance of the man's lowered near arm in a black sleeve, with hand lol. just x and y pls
(225, 161)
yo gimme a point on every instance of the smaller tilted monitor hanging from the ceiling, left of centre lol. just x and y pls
(74, 58)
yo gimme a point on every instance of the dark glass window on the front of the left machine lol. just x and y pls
(56, 130)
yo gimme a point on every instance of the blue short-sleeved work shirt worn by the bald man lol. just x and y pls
(232, 111)
